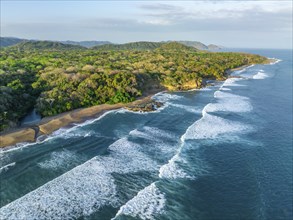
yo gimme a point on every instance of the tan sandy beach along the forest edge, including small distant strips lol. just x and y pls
(52, 123)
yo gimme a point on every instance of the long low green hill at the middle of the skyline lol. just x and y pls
(141, 45)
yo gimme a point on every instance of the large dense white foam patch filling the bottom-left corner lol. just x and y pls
(79, 192)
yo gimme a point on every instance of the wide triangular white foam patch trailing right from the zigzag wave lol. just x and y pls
(210, 126)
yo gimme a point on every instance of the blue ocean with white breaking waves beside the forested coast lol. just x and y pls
(222, 152)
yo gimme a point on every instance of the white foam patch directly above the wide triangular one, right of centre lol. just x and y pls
(229, 102)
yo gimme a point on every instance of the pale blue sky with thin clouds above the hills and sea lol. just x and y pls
(241, 24)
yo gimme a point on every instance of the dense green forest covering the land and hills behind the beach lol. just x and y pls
(54, 77)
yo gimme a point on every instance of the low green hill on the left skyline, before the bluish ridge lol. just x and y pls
(45, 45)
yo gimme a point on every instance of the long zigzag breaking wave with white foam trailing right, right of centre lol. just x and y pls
(209, 127)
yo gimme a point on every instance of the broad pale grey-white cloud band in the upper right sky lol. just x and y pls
(249, 18)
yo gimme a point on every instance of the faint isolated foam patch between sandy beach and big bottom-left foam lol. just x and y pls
(60, 159)
